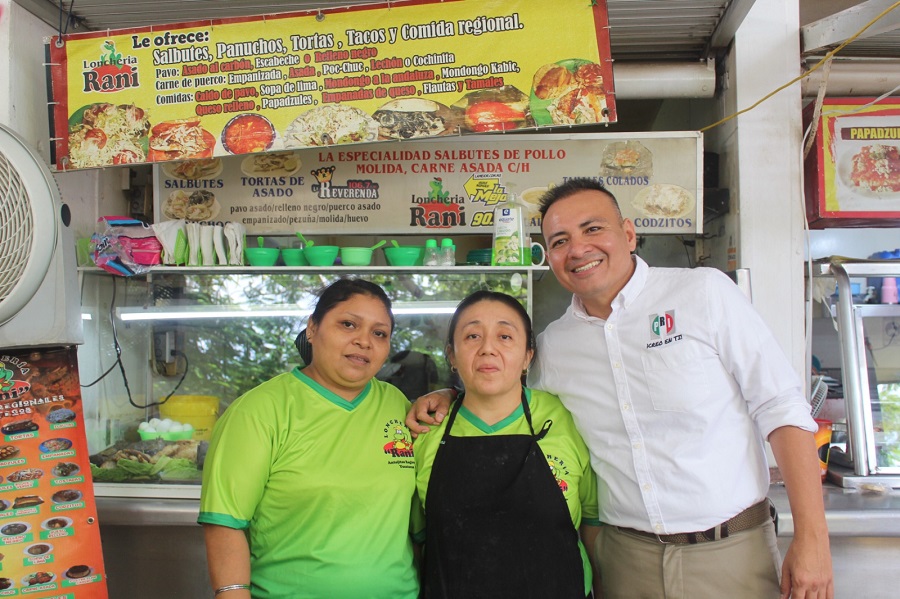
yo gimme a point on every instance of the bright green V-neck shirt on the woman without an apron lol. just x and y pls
(323, 487)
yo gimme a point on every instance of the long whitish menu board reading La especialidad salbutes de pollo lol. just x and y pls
(434, 187)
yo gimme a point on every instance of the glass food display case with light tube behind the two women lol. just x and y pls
(206, 335)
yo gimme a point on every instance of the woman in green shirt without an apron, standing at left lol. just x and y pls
(309, 479)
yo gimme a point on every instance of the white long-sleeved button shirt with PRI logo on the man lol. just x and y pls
(673, 394)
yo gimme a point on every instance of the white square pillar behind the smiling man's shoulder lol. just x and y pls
(760, 152)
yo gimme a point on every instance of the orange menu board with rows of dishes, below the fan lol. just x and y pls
(49, 534)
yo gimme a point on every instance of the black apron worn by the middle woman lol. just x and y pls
(497, 524)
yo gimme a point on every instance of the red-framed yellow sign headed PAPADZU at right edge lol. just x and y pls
(853, 173)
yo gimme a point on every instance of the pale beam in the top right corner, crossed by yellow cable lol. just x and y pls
(835, 29)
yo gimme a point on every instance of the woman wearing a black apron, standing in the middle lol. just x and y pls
(505, 480)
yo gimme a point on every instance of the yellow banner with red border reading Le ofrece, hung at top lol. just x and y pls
(407, 69)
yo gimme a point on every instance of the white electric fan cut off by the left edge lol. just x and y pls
(39, 304)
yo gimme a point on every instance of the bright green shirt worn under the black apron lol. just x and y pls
(567, 456)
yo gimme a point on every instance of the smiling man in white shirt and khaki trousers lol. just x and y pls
(674, 381)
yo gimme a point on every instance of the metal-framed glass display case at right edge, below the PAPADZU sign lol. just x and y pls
(869, 337)
